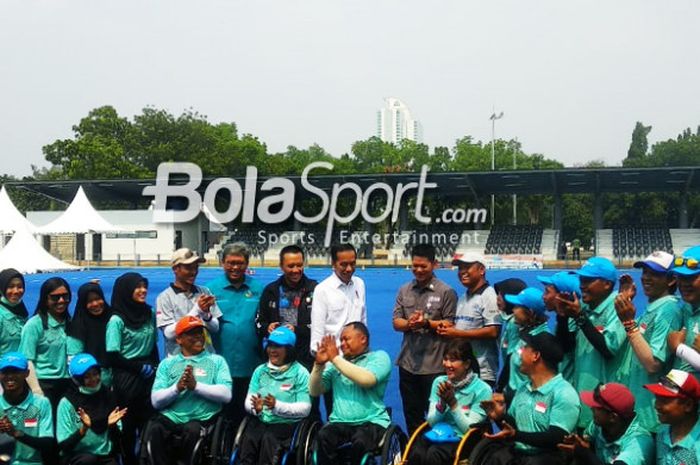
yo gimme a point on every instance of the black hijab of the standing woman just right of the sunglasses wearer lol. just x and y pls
(89, 328)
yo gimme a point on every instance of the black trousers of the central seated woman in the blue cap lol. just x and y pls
(262, 443)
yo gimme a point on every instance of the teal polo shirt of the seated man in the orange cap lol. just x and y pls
(188, 406)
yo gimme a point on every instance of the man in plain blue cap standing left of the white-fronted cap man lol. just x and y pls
(600, 333)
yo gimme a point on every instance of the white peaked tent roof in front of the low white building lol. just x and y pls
(79, 218)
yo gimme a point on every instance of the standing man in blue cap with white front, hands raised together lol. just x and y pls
(645, 354)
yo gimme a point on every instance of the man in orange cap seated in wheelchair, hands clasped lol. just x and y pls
(189, 391)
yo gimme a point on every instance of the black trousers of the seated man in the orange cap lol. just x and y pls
(172, 442)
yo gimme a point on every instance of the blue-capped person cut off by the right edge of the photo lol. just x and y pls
(686, 343)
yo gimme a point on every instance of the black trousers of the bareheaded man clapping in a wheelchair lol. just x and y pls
(362, 438)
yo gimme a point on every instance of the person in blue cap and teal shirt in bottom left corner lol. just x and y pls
(24, 416)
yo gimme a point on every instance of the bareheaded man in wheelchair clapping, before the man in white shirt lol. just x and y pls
(358, 379)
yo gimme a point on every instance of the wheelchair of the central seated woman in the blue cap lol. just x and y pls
(300, 448)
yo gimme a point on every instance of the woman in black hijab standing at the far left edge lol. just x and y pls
(13, 313)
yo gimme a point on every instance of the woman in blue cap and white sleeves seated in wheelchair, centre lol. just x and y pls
(278, 398)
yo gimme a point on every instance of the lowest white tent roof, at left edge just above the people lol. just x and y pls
(26, 255)
